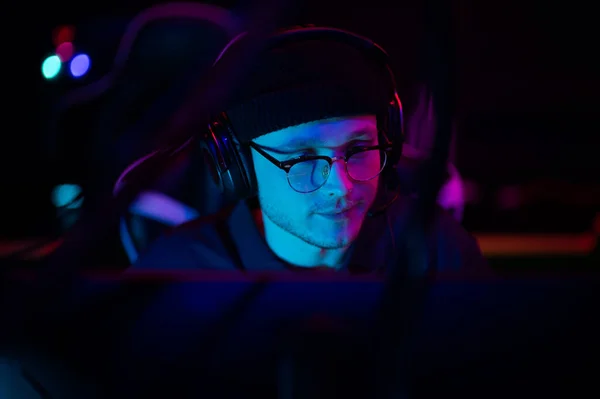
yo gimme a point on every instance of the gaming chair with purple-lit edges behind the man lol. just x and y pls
(153, 53)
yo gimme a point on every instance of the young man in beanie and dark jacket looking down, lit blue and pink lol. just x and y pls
(302, 100)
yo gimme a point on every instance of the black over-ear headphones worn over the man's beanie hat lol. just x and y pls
(230, 162)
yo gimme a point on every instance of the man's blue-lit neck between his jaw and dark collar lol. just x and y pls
(294, 250)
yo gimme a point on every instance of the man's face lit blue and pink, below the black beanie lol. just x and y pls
(331, 216)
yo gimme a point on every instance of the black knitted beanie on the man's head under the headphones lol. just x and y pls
(307, 81)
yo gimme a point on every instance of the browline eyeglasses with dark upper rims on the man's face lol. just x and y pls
(309, 173)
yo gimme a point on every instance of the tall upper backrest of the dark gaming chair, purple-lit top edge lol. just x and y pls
(101, 120)
